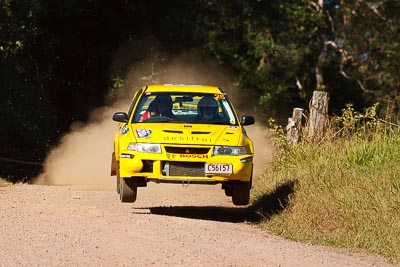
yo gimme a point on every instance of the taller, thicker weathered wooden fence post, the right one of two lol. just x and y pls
(318, 114)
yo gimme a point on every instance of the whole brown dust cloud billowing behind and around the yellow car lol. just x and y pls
(83, 157)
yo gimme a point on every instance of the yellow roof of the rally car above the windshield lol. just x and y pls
(182, 88)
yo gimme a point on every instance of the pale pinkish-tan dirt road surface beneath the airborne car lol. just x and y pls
(169, 225)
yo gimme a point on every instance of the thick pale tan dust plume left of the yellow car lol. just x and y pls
(83, 157)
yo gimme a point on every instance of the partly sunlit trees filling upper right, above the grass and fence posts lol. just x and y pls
(275, 48)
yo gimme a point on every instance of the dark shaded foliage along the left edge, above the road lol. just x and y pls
(26, 120)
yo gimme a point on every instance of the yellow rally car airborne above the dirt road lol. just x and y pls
(185, 134)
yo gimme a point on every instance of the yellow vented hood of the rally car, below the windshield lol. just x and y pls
(197, 134)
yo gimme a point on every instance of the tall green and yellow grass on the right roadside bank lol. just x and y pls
(344, 191)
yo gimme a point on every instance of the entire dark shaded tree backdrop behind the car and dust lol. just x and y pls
(60, 61)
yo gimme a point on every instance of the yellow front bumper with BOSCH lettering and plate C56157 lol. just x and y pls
(175, 168)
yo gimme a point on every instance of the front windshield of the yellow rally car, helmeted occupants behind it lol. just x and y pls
(184, 108)
